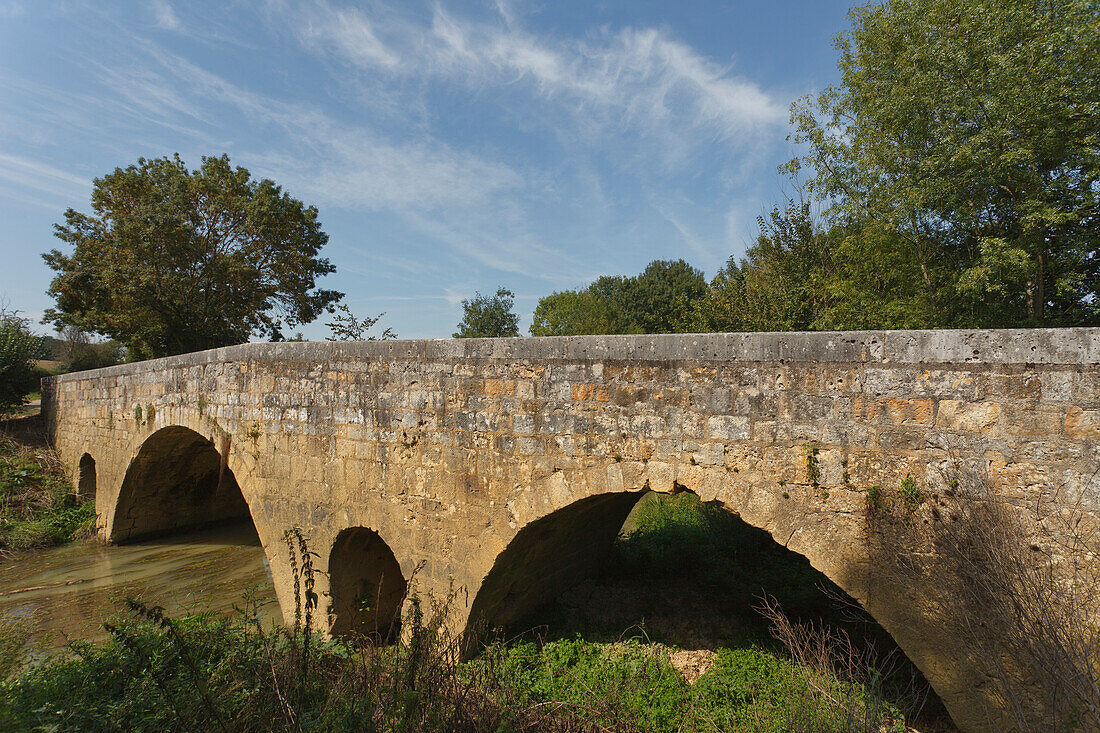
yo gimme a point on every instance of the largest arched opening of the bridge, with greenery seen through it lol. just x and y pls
(676, 572)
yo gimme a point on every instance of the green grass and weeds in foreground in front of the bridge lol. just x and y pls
(217, 673)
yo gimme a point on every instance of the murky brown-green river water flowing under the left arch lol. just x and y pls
(68, 593)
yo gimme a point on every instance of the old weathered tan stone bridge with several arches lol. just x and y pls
(504, 468)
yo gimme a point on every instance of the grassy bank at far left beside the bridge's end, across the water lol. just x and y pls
(38, 505)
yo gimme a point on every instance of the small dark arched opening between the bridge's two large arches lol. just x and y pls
(367, 586)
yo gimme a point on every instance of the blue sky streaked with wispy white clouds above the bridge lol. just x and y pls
(450, 147)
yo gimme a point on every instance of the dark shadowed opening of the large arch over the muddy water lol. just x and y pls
(177, 483)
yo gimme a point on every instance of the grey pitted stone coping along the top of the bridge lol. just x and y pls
(1040, 346)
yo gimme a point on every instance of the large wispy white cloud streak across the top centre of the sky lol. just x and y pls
(640, 79)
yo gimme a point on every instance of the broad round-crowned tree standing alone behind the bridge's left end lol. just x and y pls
(173, 260)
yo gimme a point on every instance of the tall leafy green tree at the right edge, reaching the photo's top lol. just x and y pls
(967, 134)
